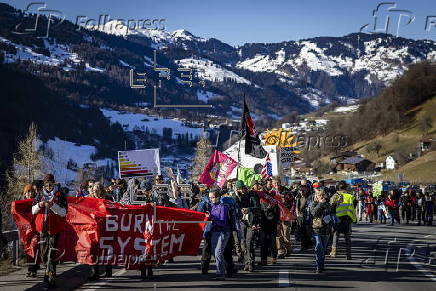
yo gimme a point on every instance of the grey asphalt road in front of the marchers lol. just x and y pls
(384, 258)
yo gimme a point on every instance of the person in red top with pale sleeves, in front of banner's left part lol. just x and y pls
(49, 208)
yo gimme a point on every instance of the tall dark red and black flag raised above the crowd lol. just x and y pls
(249, 134)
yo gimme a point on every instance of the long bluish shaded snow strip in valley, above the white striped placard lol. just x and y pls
(130, 121)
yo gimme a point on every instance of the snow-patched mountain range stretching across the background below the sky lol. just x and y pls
(298, 75)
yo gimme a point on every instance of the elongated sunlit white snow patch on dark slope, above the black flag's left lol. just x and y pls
(210, 71)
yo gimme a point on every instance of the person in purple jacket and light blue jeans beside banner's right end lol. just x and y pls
(220, 231)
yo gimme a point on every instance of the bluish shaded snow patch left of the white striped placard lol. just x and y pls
(63, 151)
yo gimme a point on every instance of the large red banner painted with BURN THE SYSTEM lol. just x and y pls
(98, 231)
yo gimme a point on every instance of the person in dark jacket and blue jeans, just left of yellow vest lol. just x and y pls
(320, 211)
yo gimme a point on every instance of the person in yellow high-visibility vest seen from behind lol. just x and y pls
(342, 202)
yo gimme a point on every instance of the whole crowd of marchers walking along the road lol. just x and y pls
(243, 217)
